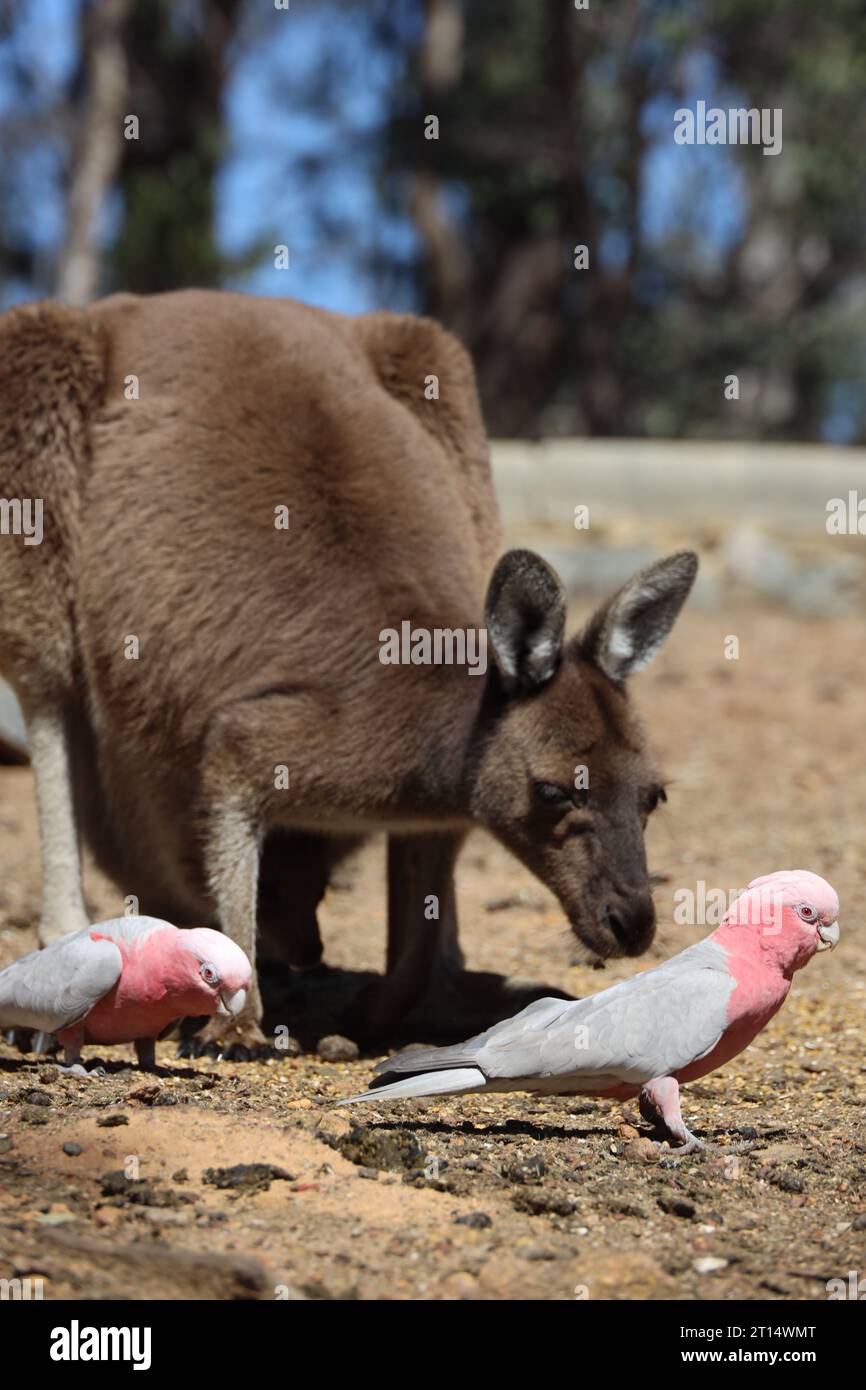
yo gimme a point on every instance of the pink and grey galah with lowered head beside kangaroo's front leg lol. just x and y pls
(126, 981)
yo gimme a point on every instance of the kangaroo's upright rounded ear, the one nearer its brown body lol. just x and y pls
(526, 615)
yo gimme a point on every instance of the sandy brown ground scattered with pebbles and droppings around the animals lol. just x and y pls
(126, 1186)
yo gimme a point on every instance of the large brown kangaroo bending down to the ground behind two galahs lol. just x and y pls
(241, 501)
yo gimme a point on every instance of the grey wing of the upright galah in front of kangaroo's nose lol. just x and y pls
(648, 1027)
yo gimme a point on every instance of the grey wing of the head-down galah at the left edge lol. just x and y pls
(56, 988)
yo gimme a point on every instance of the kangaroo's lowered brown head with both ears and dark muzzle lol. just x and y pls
(564, 778)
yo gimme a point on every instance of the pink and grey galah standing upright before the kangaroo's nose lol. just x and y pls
(646, 1036)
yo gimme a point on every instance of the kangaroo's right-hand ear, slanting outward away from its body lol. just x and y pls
(628, 632)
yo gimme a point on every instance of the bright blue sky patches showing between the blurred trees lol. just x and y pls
(262, 195)
